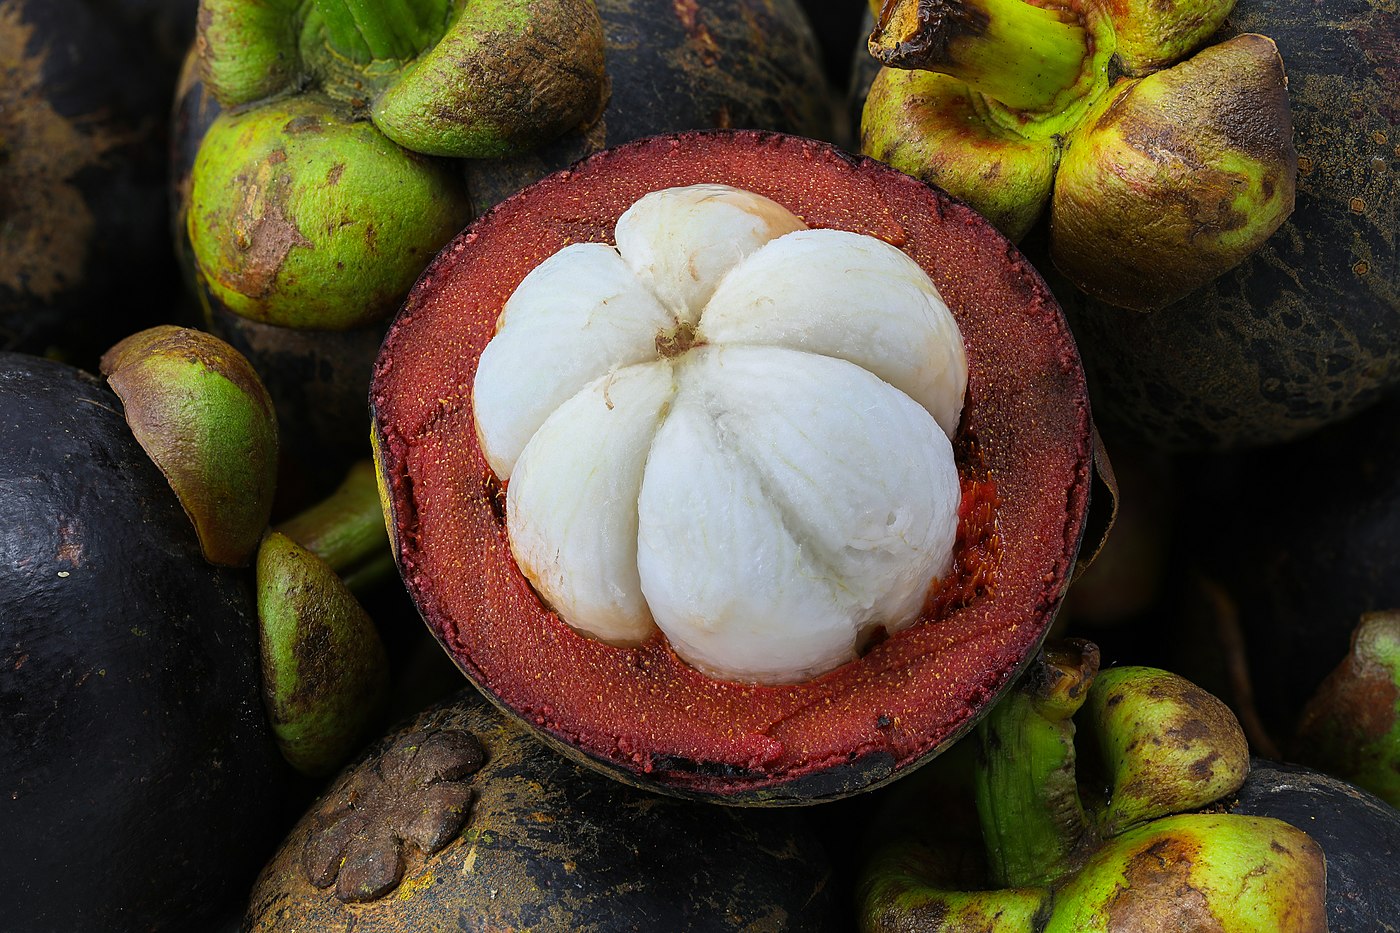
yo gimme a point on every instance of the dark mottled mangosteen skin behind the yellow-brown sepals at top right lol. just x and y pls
(1304, 333)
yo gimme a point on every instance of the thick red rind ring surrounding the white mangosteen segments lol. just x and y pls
(643, 710)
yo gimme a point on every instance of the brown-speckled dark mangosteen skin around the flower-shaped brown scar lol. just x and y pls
(554, 847)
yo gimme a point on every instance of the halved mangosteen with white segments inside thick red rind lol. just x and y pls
(827, 579)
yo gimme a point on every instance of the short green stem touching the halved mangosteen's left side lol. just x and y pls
(346, 530)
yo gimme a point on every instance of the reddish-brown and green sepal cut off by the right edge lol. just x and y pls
(1352, 726)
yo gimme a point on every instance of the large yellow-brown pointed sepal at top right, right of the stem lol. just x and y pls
(1175, 179)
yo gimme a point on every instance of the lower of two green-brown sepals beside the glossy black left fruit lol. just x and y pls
(325, 673)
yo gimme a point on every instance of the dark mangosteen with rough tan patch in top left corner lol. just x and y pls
(85, 100)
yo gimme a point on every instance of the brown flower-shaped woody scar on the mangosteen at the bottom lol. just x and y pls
(416, 795)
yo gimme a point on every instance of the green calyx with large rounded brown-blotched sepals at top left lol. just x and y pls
(328, 181)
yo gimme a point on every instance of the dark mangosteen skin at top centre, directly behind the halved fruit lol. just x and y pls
(680, 67)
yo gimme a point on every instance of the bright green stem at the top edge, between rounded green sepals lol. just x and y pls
(369, 32)
